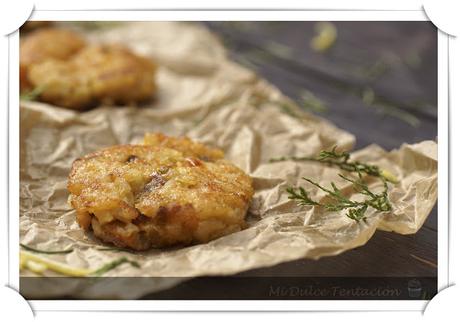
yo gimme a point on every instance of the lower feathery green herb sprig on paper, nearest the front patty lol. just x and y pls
(356, 210)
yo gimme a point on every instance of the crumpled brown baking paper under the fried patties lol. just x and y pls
(205, 96)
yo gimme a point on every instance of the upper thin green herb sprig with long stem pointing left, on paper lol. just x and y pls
(342, 161)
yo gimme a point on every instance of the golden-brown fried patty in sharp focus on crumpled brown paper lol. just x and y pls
(174, 191)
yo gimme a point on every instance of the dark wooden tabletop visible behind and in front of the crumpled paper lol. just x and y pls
(377, 81)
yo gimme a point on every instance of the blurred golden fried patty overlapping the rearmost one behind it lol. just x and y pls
(106, 74)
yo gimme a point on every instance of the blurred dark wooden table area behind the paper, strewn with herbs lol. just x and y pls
(377, 80)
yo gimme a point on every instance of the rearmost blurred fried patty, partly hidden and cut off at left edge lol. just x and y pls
(44, 44)
